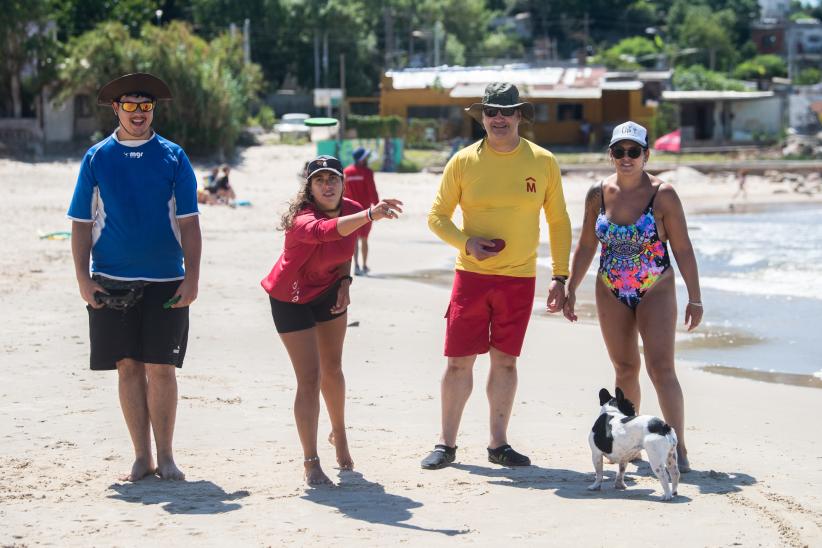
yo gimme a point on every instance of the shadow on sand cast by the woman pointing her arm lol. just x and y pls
(364, 500)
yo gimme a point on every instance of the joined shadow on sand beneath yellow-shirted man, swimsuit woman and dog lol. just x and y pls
(574, 485)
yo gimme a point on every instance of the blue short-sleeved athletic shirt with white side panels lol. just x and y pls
(134, 196)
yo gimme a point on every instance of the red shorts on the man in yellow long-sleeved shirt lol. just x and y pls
(488, 310)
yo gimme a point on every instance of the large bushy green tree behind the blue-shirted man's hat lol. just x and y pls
(212, 85)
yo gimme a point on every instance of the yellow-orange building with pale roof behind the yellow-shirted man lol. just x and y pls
(572, 104)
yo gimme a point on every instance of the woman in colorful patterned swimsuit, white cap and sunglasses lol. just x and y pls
(634, 215)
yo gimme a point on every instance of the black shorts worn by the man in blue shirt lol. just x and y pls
(146, 332)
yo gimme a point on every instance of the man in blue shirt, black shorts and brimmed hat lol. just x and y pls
(135, 218)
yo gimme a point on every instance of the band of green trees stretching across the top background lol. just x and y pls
(74, 45)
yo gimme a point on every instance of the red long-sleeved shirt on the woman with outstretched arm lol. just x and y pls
(312, 254)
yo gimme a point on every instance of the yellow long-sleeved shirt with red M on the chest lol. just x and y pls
(500, 196)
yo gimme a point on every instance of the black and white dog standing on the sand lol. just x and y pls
(619, 434)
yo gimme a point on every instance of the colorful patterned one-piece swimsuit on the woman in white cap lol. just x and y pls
(632, 257)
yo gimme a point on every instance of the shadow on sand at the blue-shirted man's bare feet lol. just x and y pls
(179, 497)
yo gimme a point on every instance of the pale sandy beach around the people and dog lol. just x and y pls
(757, 461)
